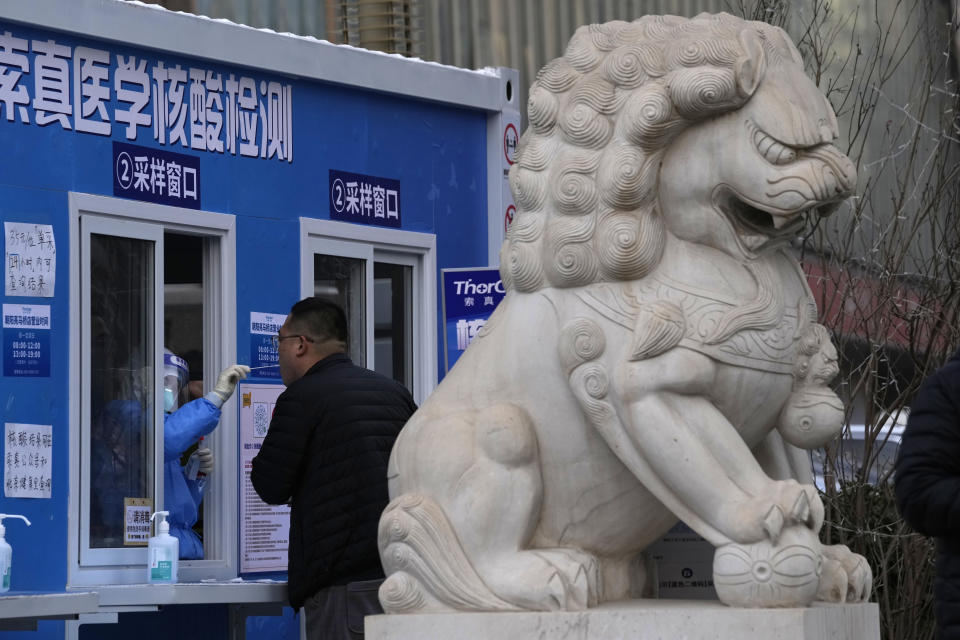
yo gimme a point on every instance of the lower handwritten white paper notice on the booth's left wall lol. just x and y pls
(28, 460)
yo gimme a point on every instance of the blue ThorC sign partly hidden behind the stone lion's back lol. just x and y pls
(469, 297)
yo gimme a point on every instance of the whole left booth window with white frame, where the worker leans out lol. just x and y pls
(150, 278)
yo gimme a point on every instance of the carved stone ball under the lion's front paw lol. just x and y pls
(763, 574)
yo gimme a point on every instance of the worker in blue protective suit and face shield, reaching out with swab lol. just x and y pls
(182, 427)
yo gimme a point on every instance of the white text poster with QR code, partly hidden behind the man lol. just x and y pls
(264, 528)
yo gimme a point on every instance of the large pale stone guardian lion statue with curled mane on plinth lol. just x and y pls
(656, 356)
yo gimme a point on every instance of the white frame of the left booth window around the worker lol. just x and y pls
(121, 566)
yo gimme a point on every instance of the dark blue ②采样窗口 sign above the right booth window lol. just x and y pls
(364, 199)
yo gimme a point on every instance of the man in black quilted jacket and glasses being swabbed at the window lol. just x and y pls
(326, 453)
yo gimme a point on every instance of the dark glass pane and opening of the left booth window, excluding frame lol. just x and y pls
(123, 366)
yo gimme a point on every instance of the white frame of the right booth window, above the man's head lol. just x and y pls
(394, 246)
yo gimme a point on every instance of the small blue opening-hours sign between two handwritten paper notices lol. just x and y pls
(26, 341)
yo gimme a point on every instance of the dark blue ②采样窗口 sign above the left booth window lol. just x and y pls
(156, 175)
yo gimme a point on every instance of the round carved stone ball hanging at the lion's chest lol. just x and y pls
(811, 417)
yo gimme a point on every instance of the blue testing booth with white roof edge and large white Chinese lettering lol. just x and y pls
(168, 181)
